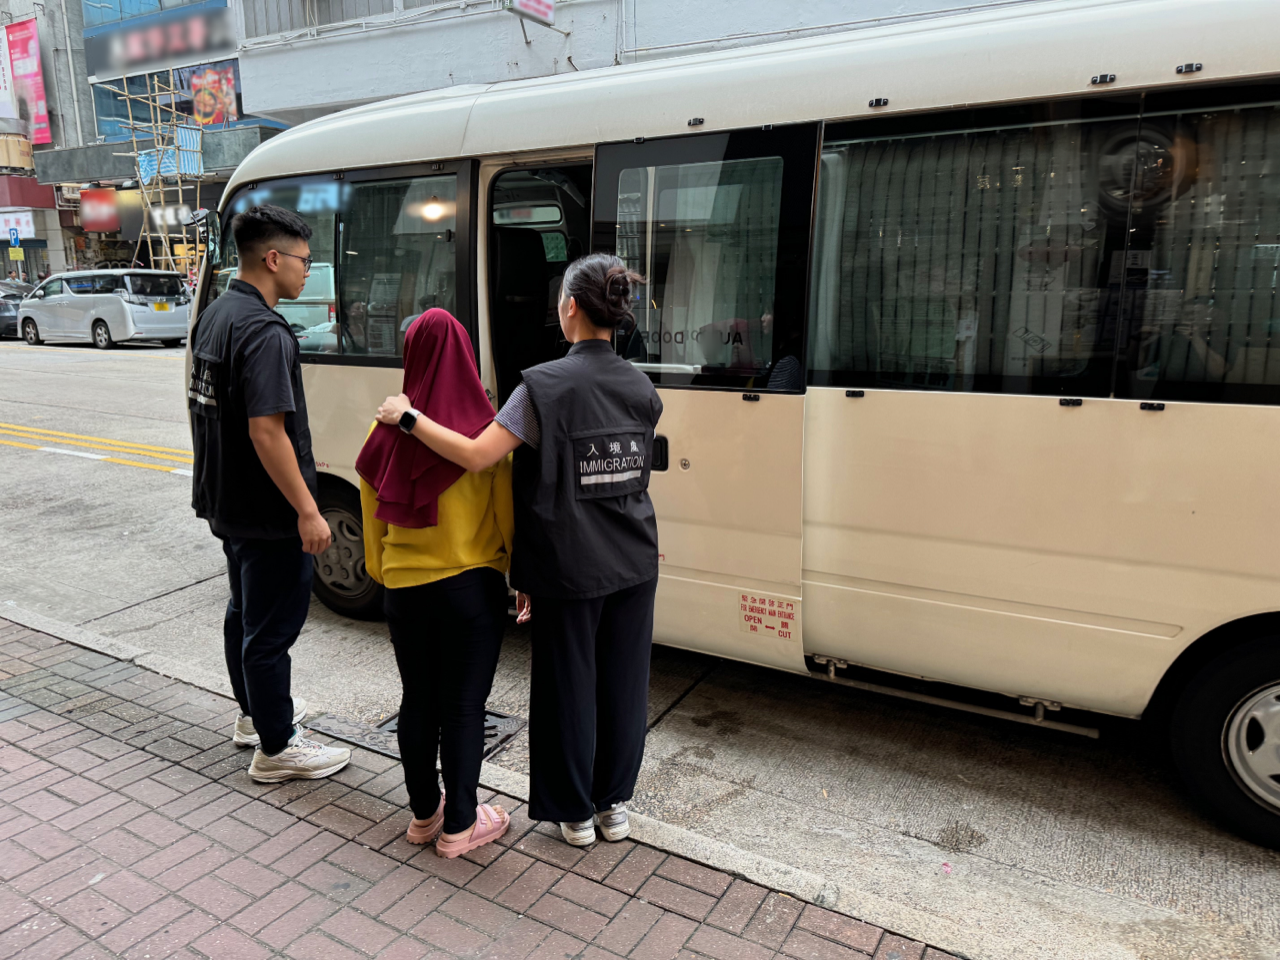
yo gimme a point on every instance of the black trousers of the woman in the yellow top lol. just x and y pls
(447, 638)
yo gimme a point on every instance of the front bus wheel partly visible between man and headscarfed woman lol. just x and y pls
(341, 580)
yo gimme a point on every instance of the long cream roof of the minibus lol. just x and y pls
(1007, 53)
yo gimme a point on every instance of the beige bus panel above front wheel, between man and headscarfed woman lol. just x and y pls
(341, 406)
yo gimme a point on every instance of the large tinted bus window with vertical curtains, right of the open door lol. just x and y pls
(981, 259)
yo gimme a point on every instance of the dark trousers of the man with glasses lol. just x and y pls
(271, 595)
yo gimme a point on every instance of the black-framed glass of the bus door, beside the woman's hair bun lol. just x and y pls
(719, 227)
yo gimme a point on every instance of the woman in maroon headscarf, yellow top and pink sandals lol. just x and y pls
(438, 538)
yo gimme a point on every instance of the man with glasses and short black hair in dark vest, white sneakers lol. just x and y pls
(255, 483)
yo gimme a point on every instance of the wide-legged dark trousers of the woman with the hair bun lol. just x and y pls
(591, 702)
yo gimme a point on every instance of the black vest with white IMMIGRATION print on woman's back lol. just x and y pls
(584, 520)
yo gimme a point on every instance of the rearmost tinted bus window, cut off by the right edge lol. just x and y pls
(1204, 319)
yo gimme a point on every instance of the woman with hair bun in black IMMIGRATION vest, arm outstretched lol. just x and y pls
(586, 554)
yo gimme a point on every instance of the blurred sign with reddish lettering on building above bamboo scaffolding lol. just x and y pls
(166, 40)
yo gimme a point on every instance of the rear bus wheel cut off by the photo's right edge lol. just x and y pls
(1226, 739)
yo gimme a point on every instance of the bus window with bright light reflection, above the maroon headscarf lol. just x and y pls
(399, 259)
